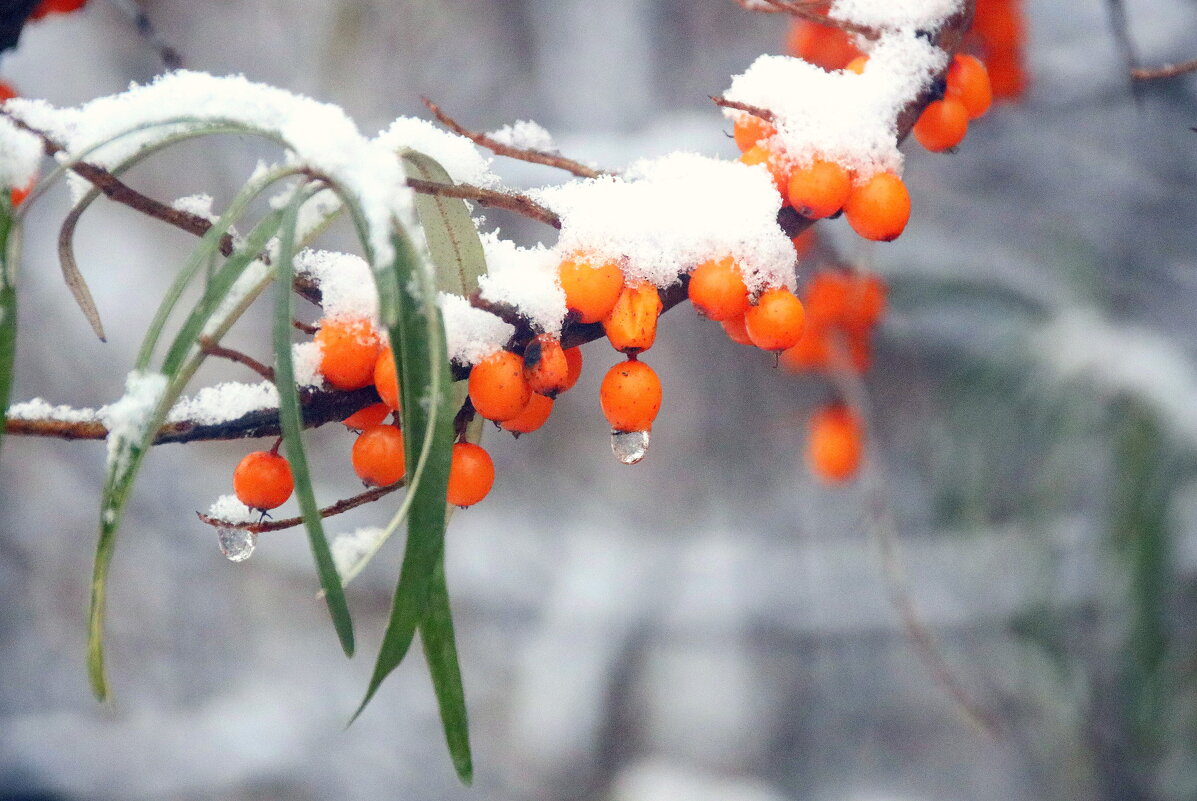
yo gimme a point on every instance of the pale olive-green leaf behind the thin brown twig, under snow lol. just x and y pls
(448, 228)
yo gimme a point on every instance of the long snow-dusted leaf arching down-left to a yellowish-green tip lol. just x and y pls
(126, 453)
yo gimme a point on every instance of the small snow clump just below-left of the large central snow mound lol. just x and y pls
(525, 278)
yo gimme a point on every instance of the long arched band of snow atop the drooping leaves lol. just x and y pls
(318, 136)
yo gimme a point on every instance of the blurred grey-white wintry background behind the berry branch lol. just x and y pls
(714, 623)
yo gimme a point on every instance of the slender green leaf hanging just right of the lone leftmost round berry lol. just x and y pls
(291, 418)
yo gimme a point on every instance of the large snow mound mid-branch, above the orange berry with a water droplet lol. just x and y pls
(667, 216)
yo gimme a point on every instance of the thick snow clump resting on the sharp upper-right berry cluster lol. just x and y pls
(840, 116)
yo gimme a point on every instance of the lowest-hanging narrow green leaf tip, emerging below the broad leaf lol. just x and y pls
(441, 652)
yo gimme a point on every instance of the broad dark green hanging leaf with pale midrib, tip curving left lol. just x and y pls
(423, 365)
